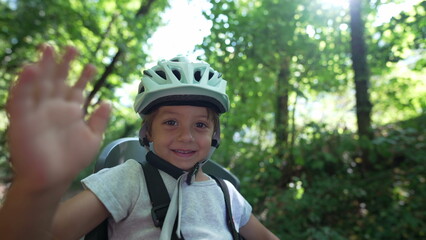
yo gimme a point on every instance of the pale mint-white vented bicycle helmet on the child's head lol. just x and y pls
(181, 82)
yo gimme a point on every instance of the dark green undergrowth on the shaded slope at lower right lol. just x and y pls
(332, 196)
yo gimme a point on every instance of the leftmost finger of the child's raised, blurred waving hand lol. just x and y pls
(22, 96)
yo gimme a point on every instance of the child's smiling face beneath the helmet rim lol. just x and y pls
(182, 135)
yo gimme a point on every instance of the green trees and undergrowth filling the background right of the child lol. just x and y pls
(326, 182)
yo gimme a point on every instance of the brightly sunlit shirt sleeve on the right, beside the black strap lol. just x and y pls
(241, 209)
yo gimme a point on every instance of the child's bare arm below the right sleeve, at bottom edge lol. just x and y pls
(255, 230)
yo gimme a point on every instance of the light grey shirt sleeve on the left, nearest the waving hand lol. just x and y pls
(117, 188)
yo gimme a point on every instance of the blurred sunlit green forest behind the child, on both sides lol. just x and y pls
(328, 121)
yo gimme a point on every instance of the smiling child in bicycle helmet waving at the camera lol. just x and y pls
(50, 143)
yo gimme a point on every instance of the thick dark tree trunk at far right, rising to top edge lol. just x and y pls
(361, 71)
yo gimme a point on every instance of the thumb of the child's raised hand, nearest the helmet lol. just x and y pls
(98, 121)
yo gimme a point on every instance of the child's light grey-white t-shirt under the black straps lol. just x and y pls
(123, 191)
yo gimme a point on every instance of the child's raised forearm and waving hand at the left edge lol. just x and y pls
(49, 142)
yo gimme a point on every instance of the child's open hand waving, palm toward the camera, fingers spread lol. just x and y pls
(49, 139)
